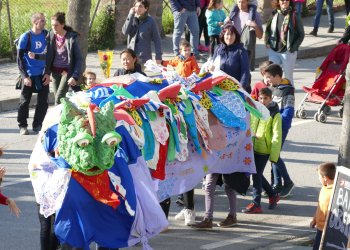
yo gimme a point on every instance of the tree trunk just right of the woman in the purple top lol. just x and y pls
(78, 17)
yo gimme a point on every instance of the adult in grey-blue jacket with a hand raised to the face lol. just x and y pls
(141, 30)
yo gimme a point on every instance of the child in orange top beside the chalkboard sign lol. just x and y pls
(326, 173)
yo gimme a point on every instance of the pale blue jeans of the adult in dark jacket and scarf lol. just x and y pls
(286, 60)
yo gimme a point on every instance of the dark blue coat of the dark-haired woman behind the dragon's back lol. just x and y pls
(234, 61)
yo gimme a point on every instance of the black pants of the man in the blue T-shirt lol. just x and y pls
(41, 105)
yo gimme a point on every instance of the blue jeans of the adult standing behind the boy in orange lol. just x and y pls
(180, 20)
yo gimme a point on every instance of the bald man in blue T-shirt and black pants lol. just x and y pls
(31, 71)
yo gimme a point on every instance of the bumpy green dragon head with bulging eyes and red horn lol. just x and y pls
(87, 139)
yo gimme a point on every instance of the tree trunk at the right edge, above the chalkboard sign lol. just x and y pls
(344, 147)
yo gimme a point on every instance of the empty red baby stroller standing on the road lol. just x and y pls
(329, 87)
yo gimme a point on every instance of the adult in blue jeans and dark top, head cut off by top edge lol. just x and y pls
(186, 12)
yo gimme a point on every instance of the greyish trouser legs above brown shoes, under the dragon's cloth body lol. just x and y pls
(210, 186)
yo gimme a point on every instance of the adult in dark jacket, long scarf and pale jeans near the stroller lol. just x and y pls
(283, 37)
